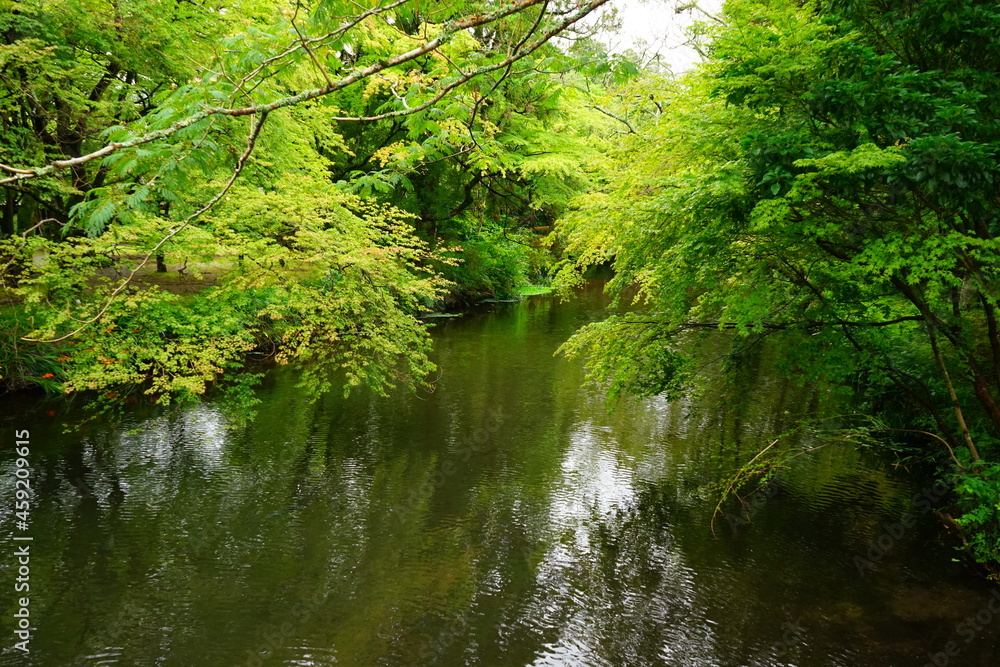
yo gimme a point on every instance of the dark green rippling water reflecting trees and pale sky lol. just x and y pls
(506, 518)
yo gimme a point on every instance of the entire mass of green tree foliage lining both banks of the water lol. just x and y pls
(185, 183)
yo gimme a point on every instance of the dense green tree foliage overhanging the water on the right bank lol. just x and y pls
(827, 181)
